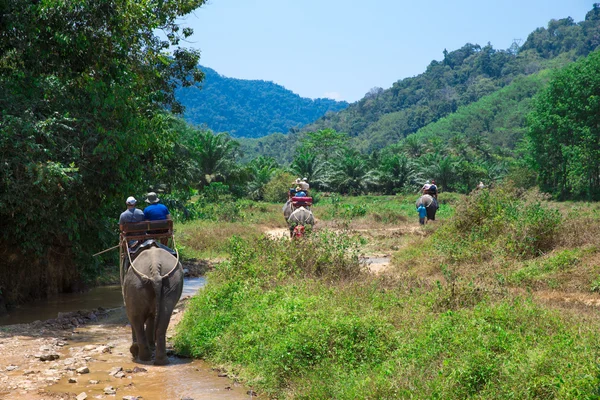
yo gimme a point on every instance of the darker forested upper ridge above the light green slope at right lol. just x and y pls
(462, 77)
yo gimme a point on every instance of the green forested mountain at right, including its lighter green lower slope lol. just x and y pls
(463, 94)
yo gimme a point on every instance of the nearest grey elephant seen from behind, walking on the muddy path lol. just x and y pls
(152, 286)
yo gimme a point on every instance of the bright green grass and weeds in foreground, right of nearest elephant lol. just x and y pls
(301, 320)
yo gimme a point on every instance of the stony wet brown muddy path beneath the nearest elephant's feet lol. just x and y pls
(86, 356)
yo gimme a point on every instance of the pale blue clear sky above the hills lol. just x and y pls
(341, 49)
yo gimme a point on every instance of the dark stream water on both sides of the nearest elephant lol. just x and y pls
(103, 296)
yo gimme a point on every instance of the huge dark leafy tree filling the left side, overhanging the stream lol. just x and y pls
(83, 91)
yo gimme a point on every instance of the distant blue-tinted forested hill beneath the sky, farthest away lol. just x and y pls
(250, 108)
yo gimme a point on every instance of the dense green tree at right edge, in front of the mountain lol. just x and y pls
(564, 131)
